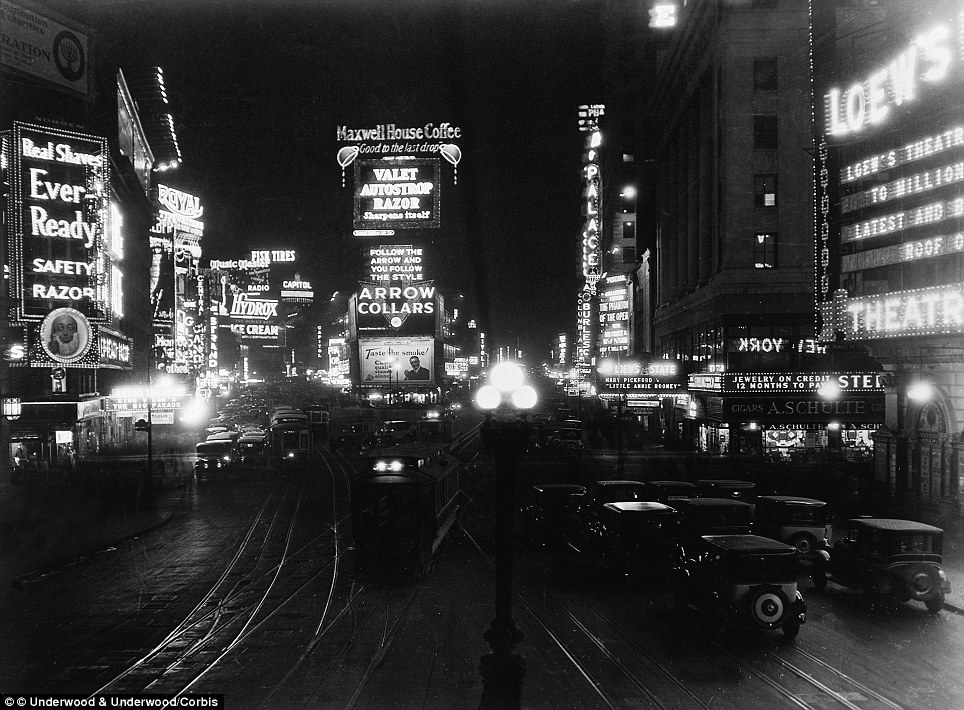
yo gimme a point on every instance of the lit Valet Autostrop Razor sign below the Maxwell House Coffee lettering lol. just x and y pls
(397, 193)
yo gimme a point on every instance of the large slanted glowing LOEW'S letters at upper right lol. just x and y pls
(927, 60)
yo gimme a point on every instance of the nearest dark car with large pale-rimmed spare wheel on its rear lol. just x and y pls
(741, 578)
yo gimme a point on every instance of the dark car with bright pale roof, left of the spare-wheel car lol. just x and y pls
(632, 538)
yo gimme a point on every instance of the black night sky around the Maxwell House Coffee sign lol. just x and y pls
(261, 87)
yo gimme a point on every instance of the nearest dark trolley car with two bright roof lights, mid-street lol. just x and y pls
(403, 507)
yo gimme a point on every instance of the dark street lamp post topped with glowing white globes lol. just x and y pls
(505, 434)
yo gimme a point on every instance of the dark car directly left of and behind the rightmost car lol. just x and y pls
(795, 520)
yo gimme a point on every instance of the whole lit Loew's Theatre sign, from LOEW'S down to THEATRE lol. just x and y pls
(891, 183)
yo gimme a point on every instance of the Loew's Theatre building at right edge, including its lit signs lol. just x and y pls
(890, 257)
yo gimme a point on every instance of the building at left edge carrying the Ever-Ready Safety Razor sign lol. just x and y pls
(76, 173)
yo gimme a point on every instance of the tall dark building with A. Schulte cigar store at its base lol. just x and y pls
(731, 118)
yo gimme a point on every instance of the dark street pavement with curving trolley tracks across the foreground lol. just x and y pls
(248, 589)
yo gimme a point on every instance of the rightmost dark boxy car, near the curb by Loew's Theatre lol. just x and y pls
(892, 558)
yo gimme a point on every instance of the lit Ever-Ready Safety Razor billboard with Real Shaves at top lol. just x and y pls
(59, 251)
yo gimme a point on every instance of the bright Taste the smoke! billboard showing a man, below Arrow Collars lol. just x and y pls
(404, 362)
